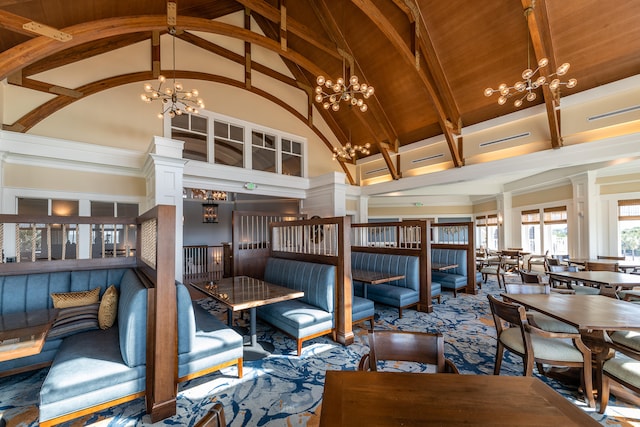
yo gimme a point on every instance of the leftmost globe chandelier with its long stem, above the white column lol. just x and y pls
(175, 100)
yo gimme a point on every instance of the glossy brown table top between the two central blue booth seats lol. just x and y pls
(243, 292)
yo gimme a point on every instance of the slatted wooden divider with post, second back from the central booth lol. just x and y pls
(399, 238)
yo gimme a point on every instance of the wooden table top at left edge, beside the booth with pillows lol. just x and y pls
(23, 334)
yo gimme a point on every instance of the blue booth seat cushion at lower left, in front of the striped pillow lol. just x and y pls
(88, 370)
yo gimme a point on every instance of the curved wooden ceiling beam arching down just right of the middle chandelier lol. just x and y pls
(378, 18)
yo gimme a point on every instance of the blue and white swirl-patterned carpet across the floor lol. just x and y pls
(286, 390)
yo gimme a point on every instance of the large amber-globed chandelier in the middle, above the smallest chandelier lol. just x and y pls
(350, 91)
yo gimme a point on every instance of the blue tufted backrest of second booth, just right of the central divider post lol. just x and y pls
(406, 265)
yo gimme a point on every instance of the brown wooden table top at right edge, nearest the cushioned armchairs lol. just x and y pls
(585, 312)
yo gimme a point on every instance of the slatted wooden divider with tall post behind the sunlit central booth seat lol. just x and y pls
(324, 241)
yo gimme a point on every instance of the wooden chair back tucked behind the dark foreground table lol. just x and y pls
(421, 347)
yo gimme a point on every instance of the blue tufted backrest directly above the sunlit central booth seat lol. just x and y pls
(317, 281)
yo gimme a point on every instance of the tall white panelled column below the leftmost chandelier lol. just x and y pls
(164, 171)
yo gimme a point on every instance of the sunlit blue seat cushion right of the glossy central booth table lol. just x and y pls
(296, 318)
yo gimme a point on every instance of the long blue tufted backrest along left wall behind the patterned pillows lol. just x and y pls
(29, 292)
